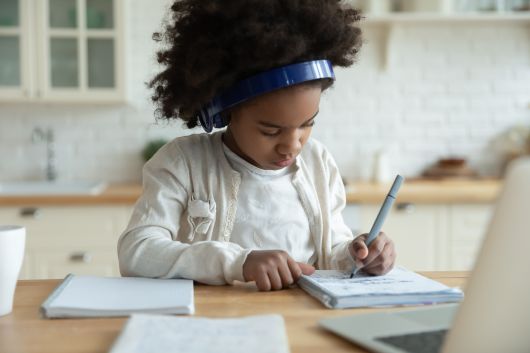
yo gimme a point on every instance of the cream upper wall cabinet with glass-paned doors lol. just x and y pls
(61, 50)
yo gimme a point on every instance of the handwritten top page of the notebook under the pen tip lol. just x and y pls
(398, 281)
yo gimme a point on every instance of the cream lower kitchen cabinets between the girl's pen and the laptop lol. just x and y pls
(432, 237)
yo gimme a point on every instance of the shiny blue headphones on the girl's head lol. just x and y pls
(210, 113)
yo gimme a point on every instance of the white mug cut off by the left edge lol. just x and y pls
(12, 241)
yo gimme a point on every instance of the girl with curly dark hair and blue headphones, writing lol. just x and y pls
(259, 200)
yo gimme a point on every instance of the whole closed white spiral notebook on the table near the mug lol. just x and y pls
(93, 296)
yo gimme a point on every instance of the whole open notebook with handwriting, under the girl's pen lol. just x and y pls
(335, 289)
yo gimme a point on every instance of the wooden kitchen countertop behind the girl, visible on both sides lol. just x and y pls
(414, 191)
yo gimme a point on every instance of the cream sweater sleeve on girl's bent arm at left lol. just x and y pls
(149, 246)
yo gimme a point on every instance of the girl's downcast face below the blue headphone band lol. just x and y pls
(271, 130)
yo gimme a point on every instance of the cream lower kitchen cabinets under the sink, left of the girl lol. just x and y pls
(69, 239)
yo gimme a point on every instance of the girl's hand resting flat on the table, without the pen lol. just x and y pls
(273, 269)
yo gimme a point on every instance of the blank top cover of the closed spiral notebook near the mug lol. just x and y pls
(124, 293)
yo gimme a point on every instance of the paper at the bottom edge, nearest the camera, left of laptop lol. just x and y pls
(168, 334)
